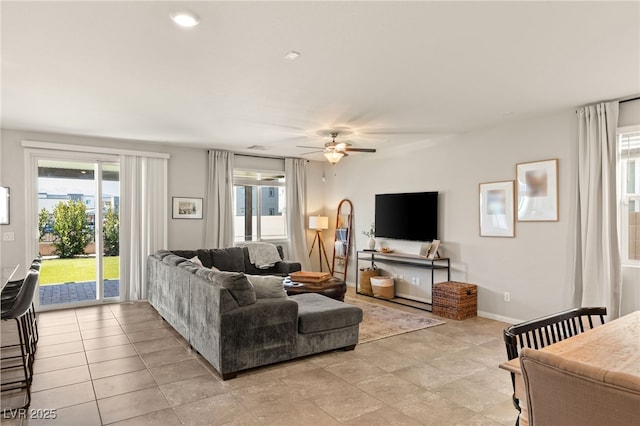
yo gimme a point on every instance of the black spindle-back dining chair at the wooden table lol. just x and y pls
(545, 331)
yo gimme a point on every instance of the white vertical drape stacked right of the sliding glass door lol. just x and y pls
(143, 219)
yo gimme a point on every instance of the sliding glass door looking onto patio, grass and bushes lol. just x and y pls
(78, 211)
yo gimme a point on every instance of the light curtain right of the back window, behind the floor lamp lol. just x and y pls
(296, 181)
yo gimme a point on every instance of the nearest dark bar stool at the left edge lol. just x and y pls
(18, 311)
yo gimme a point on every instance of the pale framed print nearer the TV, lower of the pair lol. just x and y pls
(497, 209)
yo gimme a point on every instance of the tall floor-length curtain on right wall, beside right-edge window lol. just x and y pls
(597, 273)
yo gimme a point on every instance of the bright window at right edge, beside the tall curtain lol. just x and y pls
(629, 190)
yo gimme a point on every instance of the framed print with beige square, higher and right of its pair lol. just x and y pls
(537, 191)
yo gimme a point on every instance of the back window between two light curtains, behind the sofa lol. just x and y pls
(259, 206)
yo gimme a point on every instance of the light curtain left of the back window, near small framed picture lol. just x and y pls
(219, 219)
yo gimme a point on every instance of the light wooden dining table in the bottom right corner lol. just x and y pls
(613, 346)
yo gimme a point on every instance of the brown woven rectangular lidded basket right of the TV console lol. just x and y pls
(455, 300)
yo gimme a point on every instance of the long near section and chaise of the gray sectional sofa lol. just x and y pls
(238, 321)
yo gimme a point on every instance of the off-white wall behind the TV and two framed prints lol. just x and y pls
(535, 266)
